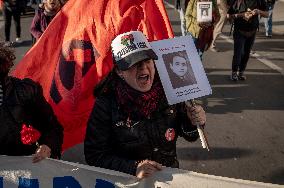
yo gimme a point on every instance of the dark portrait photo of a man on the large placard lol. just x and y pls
(179, 69)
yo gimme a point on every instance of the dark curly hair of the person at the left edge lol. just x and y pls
(7, 57)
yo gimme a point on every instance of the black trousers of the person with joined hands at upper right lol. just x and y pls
(242, 48)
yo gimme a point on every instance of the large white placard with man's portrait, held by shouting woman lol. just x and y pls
(180, 69)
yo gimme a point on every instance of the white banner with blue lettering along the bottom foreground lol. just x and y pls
(20, 172)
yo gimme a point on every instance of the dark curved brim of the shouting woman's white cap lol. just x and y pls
(134, 58)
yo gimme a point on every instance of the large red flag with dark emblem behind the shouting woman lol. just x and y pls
(74, 53)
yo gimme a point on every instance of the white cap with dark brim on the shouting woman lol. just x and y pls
(130, 48)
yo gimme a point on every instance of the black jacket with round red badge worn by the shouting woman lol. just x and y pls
(115, 141)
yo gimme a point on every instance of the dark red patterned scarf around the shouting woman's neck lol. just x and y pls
(143, 102)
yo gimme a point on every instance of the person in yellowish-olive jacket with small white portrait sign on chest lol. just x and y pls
(202, 33)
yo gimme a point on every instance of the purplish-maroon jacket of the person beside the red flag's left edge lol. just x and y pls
(40, 23)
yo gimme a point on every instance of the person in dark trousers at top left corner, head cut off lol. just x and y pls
(12, 8)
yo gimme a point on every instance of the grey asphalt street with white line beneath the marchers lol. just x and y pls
(245, 119)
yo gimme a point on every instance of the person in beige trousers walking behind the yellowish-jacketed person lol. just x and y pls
(223, 9)
